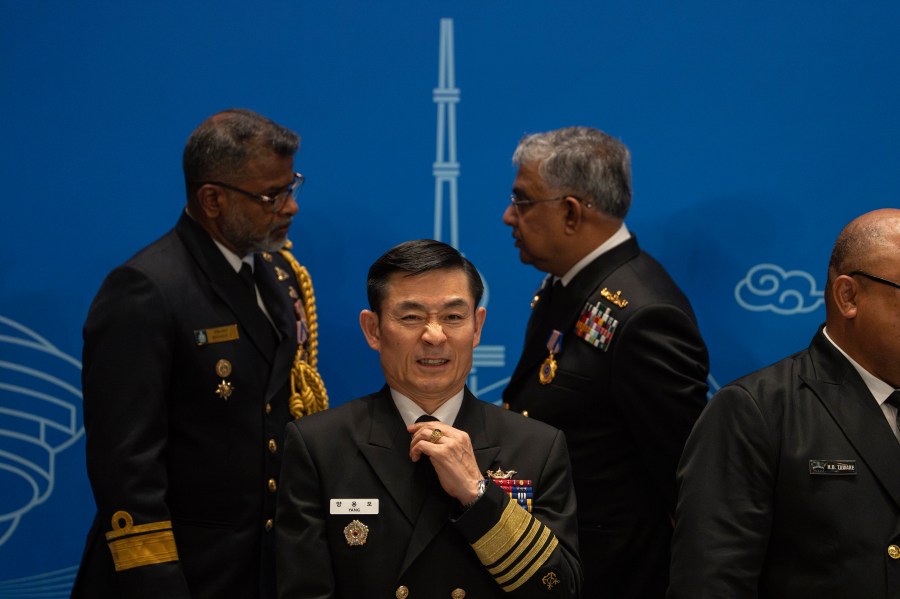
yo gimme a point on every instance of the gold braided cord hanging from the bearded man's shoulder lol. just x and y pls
(308, 393)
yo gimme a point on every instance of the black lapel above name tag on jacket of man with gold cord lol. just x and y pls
(227, 284)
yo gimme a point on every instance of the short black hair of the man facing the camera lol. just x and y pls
(414, 258)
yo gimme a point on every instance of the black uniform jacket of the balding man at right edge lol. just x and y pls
(790, 487)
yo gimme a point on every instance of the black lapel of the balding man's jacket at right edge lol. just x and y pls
(851, 405)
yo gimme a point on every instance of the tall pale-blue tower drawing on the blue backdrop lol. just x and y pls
(446, 194)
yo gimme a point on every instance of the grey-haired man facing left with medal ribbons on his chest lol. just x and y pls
(612, 355)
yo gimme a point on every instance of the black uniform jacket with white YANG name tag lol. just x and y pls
(419, 543)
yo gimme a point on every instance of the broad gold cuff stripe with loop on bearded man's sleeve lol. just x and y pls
(132, 546)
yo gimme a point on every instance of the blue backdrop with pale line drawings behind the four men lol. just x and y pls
(757, 131)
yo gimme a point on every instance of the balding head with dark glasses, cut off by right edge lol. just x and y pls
(861, 304)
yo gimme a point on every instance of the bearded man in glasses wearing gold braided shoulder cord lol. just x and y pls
(189, 369)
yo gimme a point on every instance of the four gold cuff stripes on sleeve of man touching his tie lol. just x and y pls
(519, 542)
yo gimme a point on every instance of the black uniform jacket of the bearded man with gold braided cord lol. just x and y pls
(185, 475)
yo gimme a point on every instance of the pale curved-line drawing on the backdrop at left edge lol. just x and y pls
(40, 416)
